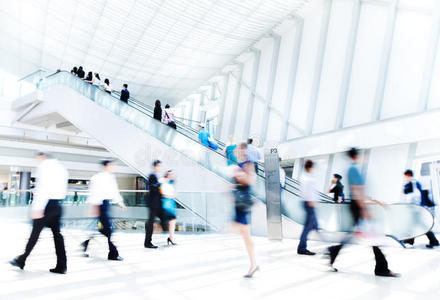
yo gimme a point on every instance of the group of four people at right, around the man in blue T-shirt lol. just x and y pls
(358, 208)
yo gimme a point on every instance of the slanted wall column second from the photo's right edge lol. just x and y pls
(385, 61)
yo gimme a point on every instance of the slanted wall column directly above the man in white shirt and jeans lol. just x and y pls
(318, 67)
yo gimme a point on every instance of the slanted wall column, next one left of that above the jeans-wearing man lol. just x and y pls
(292, 77)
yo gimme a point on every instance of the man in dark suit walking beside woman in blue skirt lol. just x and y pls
(154, 204)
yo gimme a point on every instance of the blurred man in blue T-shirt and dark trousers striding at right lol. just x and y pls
(359, 211)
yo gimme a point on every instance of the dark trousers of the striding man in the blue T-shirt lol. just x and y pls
(381, 261)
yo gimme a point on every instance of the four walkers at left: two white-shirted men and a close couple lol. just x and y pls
(51, 189)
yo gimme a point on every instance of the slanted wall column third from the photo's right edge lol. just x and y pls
(348, 65)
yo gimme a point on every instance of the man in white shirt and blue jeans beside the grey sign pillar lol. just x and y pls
(308, 195)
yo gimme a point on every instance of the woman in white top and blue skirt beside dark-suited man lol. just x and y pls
(169, 205)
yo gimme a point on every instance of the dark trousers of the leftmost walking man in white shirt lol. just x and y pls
(51, 219)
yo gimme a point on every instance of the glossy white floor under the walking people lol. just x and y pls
(209, 267)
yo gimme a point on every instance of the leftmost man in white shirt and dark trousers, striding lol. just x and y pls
(46, 210)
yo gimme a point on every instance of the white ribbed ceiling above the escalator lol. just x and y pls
(162, 48)
